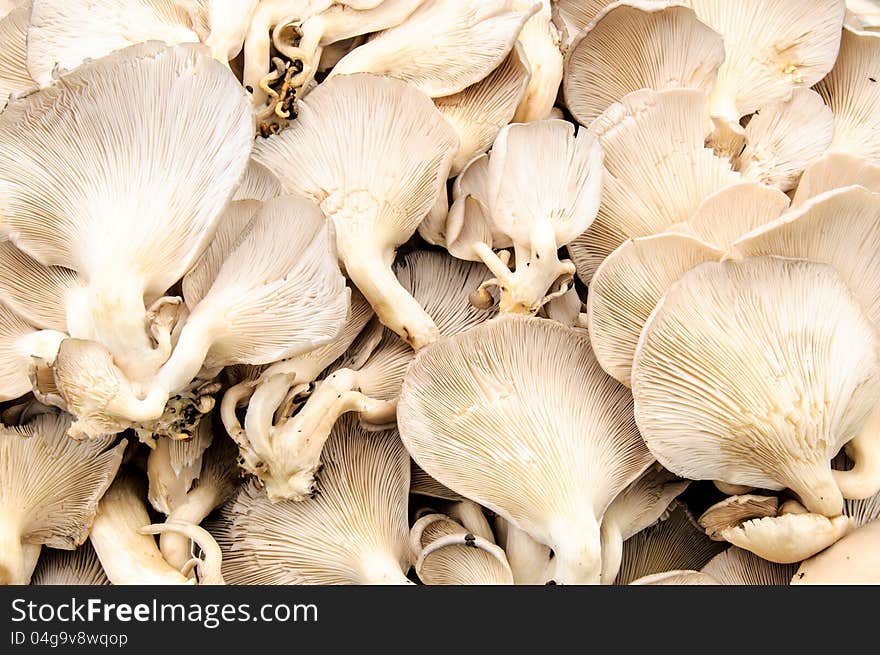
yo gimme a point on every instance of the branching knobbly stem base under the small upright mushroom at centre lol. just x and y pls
(525, 289)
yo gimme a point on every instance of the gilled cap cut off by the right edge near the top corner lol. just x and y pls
(854, 97)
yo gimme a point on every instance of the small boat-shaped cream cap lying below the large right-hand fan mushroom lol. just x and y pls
(788, 538)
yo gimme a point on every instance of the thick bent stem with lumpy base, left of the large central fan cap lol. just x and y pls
(296, 445)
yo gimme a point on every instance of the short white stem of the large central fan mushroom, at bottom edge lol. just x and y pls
(577, 548)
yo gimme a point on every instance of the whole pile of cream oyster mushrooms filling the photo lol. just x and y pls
(448, 292)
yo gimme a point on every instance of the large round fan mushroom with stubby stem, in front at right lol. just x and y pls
(730, 387)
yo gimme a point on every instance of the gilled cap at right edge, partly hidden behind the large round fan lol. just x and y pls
(839, 228)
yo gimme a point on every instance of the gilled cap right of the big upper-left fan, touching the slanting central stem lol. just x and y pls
(278, 292)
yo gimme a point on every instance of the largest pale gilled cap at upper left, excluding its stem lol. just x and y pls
(136, 123)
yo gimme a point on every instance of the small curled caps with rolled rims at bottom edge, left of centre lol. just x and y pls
(446, 553)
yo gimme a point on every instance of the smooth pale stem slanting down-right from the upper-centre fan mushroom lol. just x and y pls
(368, 265)
